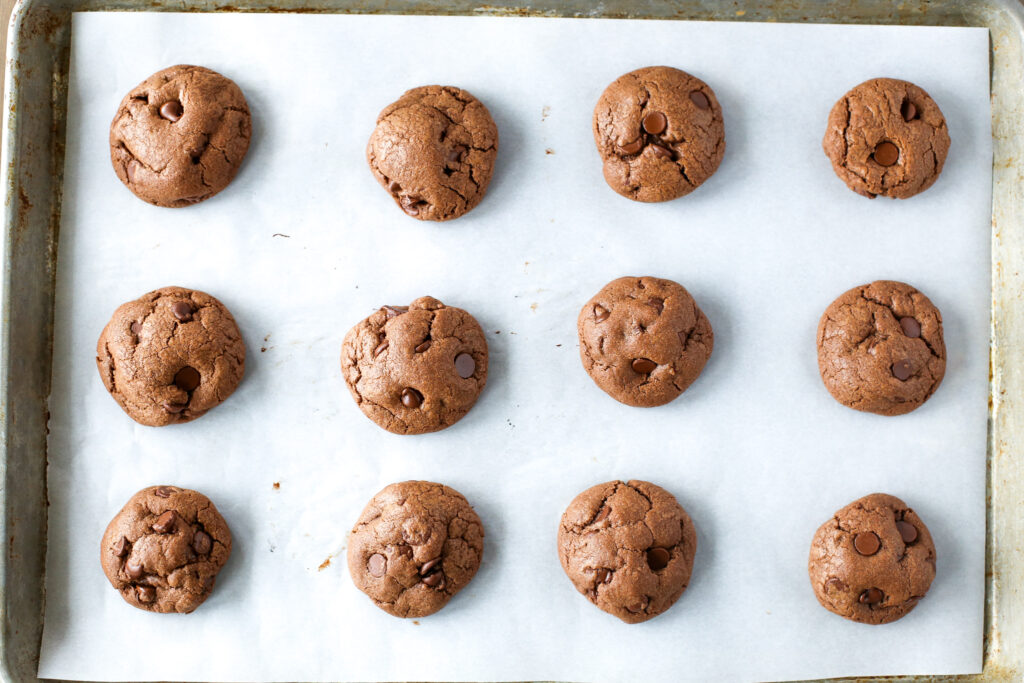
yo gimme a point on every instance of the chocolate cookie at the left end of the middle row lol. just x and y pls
(170, 356)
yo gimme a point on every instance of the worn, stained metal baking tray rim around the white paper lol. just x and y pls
(36, 99)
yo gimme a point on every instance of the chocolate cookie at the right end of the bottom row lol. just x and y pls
(873, 562)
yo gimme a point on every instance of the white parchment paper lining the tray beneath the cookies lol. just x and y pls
(756, 450)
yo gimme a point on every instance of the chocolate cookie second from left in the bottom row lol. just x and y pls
(415, 546)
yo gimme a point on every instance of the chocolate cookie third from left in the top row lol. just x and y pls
(660, 134)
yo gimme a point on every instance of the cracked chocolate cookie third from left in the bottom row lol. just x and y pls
(629, 548)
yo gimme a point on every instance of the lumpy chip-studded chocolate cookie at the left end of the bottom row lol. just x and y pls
(164, 549)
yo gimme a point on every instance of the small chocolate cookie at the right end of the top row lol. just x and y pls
(887, 138)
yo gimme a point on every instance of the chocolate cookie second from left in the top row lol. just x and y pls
(435, 151)
